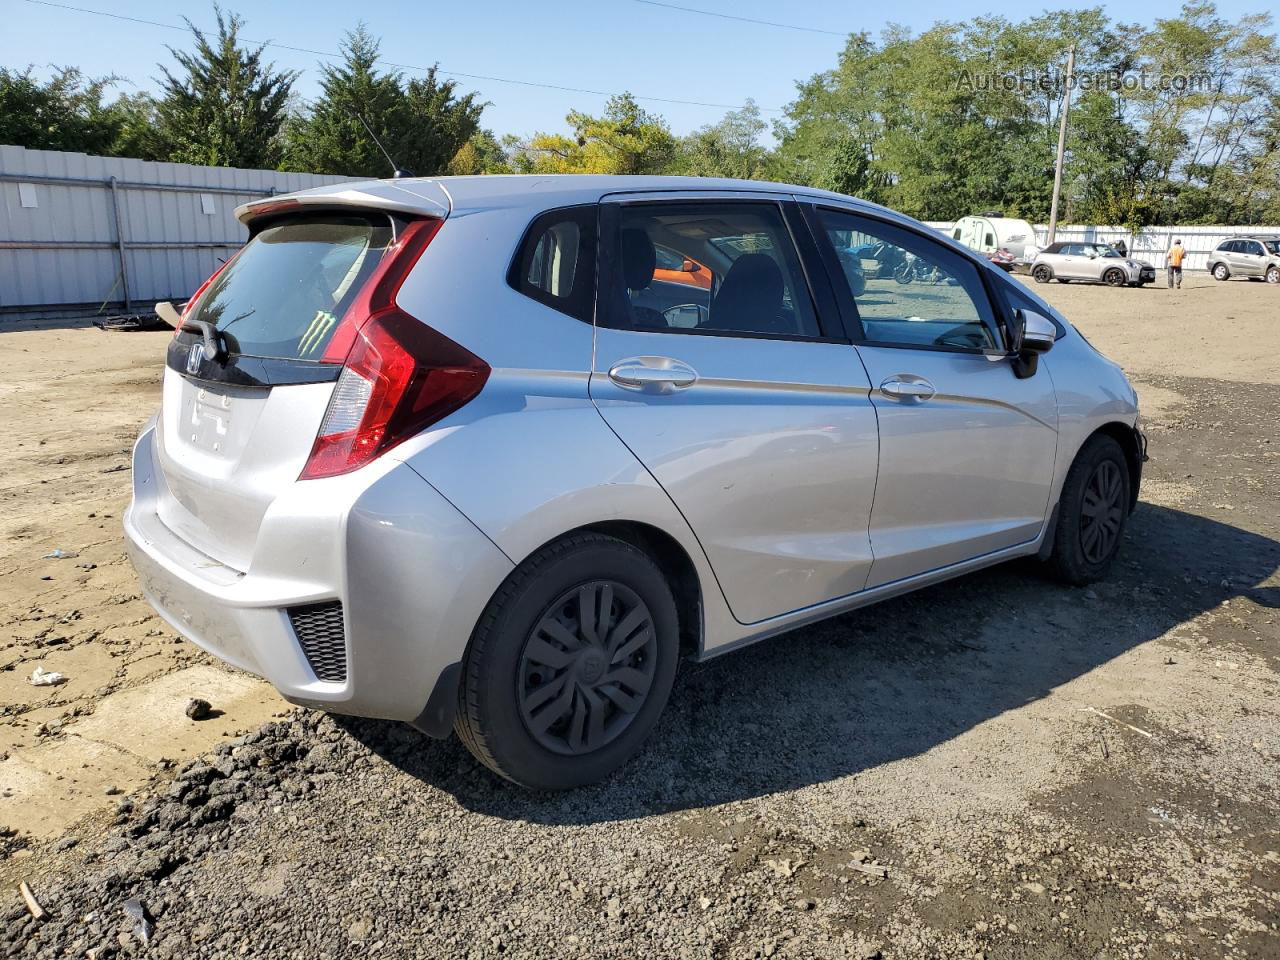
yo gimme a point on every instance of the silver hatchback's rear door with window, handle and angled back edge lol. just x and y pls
(756, 419)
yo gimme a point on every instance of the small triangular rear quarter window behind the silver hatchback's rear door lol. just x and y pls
(556, 262)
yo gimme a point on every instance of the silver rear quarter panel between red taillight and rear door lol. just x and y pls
(531, 459)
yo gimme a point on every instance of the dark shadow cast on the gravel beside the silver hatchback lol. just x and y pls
(881, 684)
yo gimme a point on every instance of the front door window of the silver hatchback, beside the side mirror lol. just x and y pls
(916, 292)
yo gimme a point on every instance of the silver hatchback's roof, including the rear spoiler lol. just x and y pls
(442, 196)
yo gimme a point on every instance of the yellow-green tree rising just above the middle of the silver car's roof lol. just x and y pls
(625, 140)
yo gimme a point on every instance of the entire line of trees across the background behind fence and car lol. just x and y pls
(1176, 122)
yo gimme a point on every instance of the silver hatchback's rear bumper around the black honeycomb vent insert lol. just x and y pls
(412, 573)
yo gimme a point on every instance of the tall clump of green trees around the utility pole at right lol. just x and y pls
(964, 118)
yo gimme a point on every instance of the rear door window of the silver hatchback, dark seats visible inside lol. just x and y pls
(755, 284)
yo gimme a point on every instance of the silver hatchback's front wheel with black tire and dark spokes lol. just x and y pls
(1100, 476)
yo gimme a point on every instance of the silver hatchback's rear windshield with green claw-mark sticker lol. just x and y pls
(289, 287)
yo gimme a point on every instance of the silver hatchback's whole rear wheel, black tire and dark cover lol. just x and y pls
(536, 627)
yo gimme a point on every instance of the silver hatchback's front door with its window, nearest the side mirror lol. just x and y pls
(967, 447)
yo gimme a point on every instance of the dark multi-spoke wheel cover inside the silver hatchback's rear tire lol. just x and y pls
(587, 668)
